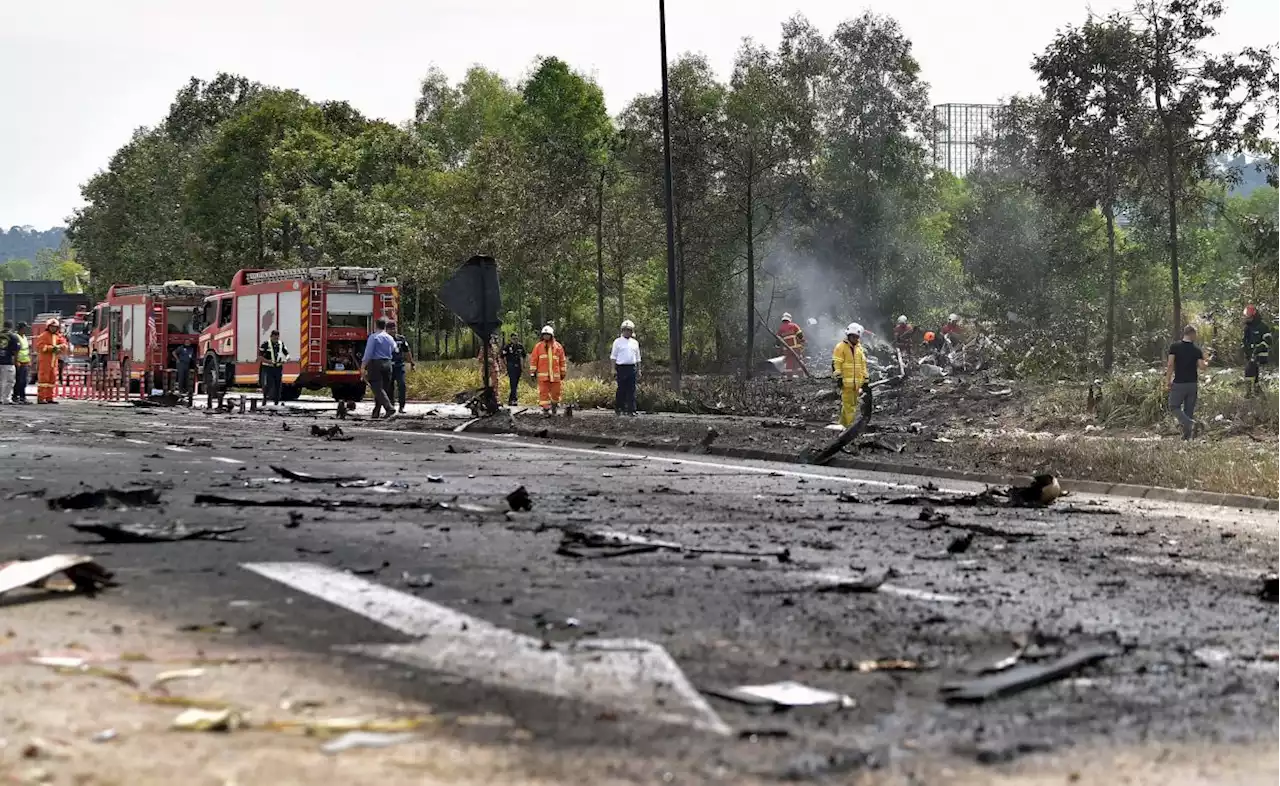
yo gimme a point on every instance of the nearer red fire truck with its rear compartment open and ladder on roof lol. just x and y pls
(324, 317)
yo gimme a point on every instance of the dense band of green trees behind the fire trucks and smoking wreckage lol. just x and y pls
(1101, 212)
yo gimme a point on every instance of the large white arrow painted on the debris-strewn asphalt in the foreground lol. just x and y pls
(629, 675)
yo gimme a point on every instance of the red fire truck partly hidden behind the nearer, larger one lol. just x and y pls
(144, 325)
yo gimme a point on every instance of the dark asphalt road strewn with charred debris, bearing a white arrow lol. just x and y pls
(1171, 591)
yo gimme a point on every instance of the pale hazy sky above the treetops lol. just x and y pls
(79, 76)
